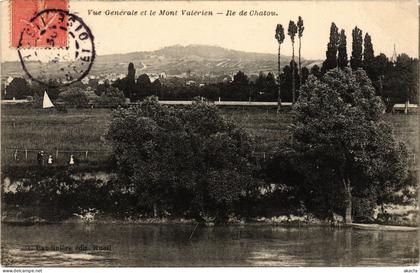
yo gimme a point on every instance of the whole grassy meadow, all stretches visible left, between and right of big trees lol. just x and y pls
(82, 130)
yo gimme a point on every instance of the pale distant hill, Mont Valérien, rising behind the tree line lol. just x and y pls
(176, 60)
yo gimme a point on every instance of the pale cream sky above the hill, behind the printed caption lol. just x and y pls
(388, 23)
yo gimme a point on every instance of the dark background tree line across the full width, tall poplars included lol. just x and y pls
(395, 79)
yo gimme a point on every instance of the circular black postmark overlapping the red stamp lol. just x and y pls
(56, 48)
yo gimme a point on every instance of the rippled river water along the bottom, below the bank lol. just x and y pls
(169, 245)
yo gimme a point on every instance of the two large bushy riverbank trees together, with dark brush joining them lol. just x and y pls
(343, 159)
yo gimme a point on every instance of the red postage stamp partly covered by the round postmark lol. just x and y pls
(32, 27)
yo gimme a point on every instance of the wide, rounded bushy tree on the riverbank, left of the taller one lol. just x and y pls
(190, 161)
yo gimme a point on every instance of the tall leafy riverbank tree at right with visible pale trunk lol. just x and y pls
(344, 148)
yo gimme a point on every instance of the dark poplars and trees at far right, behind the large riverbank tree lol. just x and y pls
(395, 79)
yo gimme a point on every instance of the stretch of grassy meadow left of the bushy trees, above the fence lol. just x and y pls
(75, 132)
